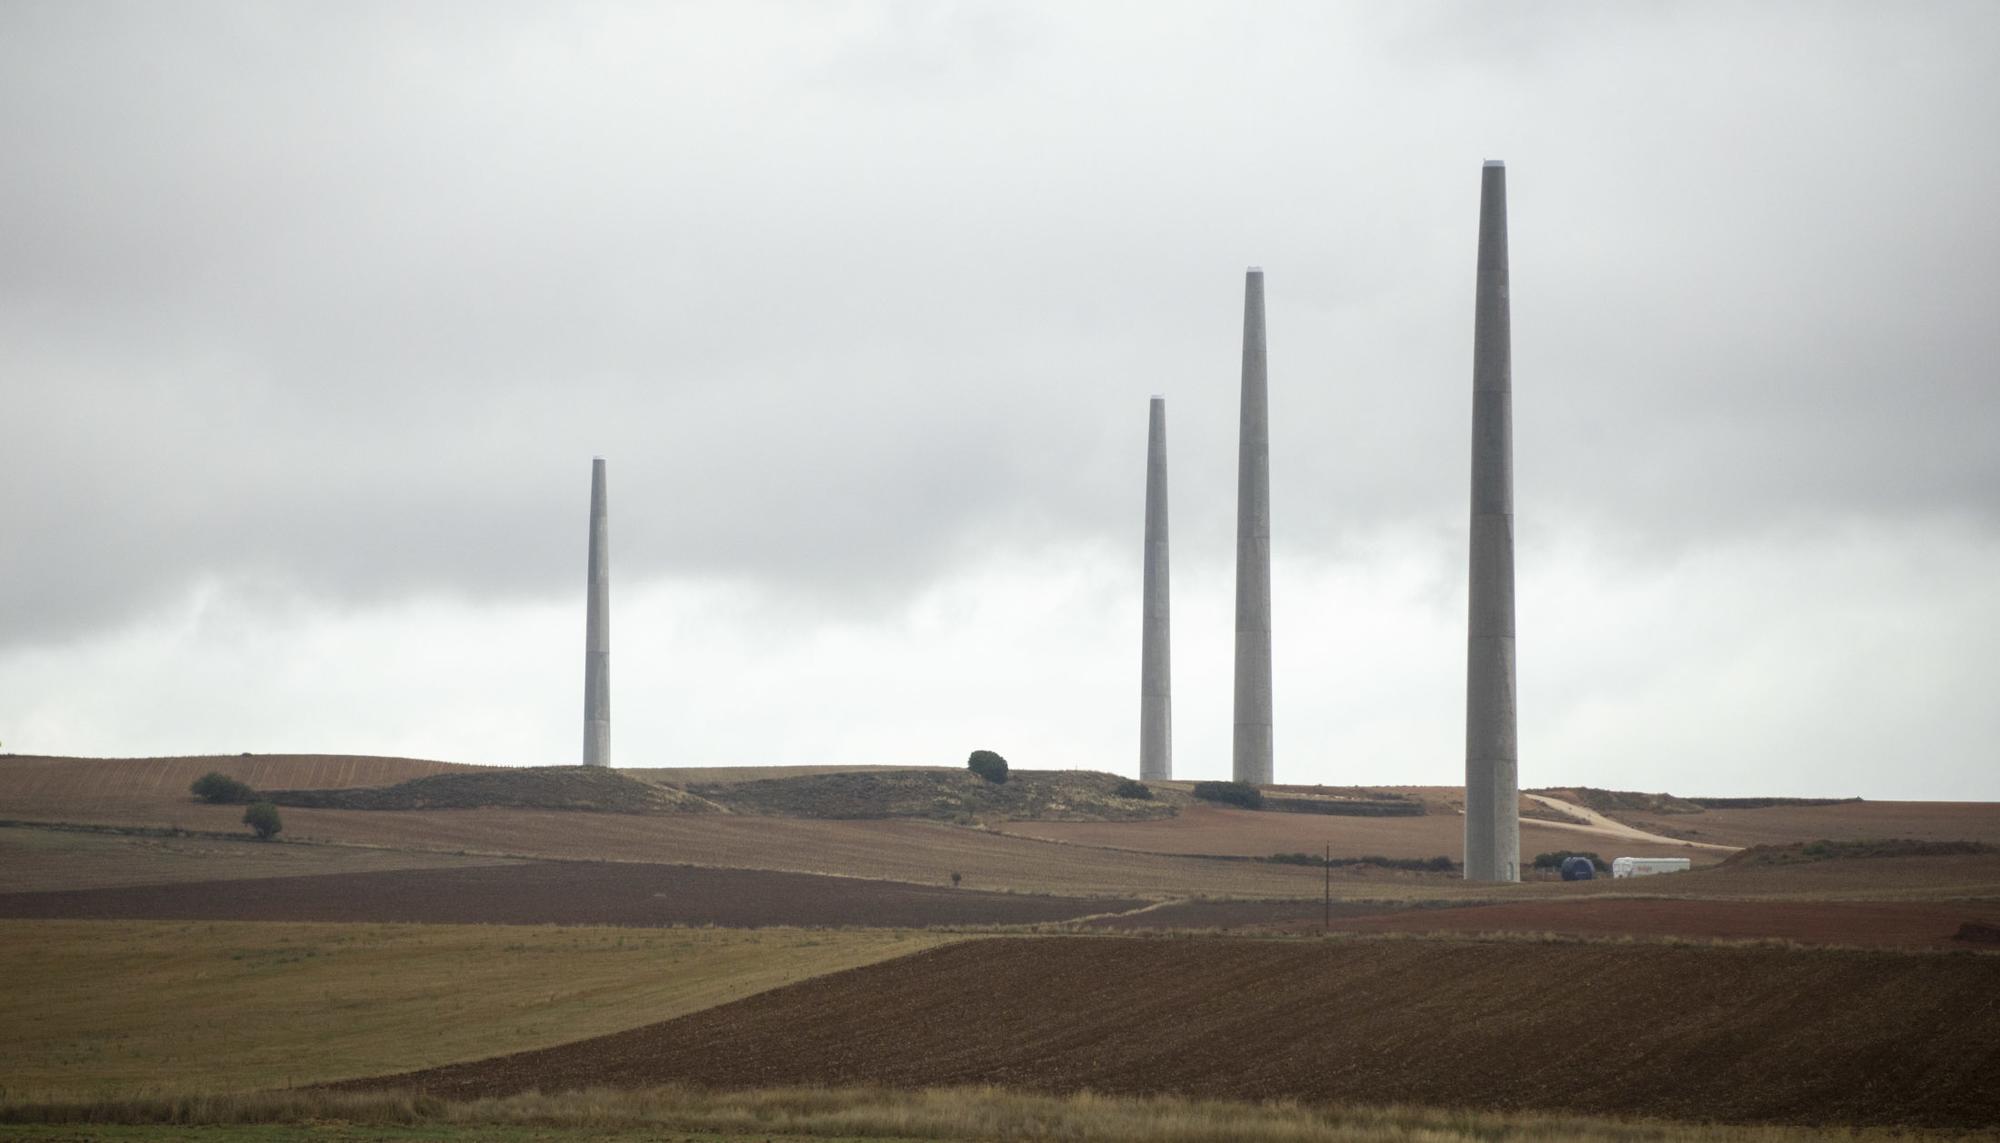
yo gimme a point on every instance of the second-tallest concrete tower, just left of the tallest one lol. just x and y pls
(1251, 756)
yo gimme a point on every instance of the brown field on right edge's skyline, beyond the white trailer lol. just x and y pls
(1847, 822)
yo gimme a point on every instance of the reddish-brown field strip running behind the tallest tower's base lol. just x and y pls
(1249, 834)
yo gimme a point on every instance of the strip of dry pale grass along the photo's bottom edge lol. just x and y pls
(861, 1116)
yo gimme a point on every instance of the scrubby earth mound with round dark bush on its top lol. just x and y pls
(945, 796)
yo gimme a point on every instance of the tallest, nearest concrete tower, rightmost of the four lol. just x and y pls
(1493, 746)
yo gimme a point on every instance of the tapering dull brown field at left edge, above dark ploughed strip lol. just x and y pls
(35, 860)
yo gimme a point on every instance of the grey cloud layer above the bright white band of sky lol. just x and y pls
(349, 297)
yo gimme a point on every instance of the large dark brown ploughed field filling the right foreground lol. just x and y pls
(1711, 1034)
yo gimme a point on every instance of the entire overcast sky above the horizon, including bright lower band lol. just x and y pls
(315, 315)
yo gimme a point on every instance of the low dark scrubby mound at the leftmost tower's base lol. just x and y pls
(587, 788)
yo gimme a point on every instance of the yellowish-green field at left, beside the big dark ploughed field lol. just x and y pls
(139, 1008)
